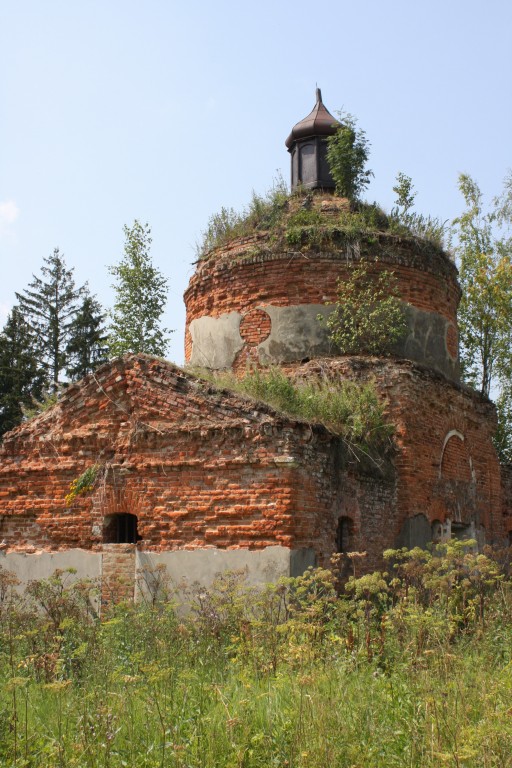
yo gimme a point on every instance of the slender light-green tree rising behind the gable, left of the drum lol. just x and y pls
(141, 295)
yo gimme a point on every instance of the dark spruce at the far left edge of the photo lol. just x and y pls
(21, 379)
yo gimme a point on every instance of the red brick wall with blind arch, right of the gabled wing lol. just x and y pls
(459, 479)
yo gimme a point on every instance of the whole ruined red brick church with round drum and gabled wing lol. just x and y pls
(201, 479)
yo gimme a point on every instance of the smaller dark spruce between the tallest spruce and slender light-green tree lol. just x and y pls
(87, 345)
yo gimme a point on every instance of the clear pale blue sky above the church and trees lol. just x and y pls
(165, 111)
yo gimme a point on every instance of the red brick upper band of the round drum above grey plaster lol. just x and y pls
(235, 278)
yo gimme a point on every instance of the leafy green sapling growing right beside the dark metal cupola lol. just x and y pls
(347, 154)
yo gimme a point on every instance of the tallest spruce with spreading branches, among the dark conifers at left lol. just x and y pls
(49, 306)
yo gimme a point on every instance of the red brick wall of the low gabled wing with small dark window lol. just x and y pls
(198, 467)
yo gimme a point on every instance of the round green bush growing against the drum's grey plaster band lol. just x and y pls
(368, 316)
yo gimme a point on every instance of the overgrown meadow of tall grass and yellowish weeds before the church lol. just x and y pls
(408, 667)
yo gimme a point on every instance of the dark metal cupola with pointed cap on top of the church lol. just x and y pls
(308, 148)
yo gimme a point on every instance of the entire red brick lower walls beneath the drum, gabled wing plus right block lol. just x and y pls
(201, 467)
